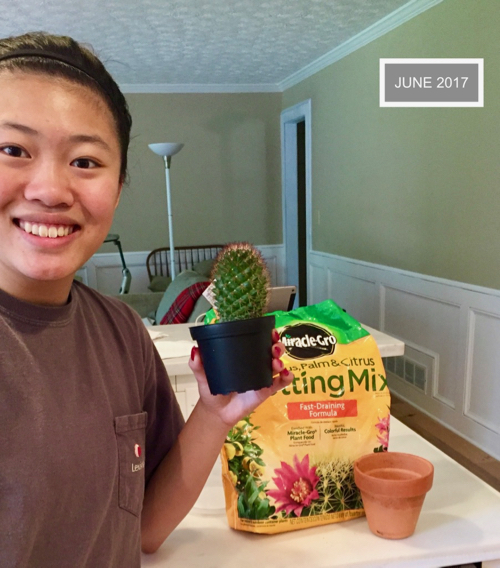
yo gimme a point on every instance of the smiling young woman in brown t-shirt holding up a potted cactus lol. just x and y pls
(96, 461)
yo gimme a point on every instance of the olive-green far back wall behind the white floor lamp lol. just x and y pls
(226, 181)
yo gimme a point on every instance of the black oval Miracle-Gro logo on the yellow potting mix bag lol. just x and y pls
(307, 341)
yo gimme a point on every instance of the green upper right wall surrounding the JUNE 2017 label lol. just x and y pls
(413, 188)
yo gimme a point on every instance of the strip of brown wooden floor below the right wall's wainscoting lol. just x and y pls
(465, 453)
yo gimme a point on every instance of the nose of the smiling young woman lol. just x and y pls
(50, 185)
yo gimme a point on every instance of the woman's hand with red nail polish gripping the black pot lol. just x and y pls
(233, 407)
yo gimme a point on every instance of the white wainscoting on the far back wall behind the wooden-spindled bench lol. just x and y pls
(104, 271)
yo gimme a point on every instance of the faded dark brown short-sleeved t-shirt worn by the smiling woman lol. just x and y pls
(86, 415)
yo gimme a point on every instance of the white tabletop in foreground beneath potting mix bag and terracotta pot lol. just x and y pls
(459, 523)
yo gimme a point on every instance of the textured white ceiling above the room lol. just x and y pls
(160, 44)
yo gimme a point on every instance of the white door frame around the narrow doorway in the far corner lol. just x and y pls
(289, 119)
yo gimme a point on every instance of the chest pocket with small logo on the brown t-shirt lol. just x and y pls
(130, 431)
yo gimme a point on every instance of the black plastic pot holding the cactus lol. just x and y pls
(237, 354)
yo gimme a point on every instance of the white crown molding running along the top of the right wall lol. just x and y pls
(380, 28)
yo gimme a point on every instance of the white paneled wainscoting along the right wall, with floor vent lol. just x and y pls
(451, 329)
